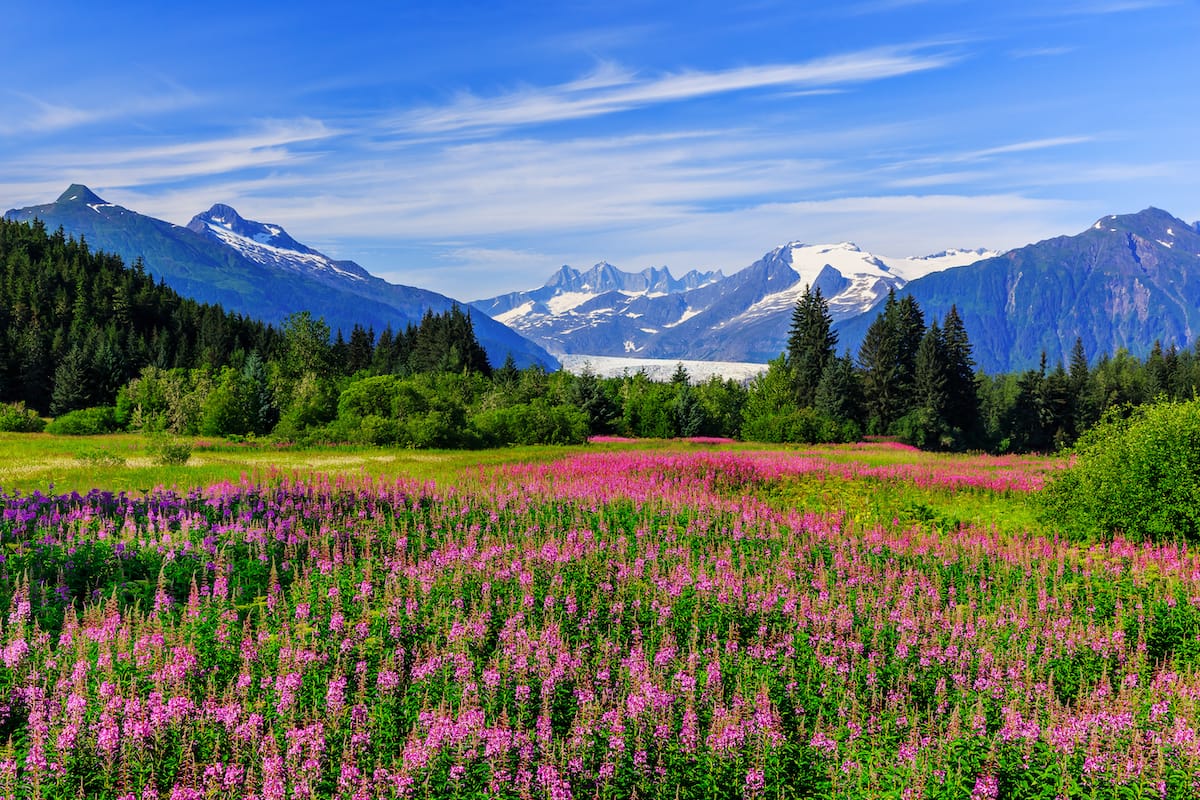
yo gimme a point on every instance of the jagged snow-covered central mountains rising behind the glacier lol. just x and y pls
(705, 316)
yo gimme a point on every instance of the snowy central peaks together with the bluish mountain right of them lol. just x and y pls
(1129, 281)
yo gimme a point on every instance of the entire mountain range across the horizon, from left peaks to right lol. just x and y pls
(1127, 281)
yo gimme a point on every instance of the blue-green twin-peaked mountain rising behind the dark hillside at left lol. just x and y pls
(257, 269)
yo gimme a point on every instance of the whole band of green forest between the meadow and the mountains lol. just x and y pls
(101, 347)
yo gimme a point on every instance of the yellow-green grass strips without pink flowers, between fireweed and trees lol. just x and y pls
(127, 464)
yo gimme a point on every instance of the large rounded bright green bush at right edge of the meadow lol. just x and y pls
(1138, 477)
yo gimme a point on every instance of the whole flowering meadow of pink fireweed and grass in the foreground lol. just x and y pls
(692, 619)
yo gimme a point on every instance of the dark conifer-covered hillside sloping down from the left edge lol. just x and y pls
(77, 326)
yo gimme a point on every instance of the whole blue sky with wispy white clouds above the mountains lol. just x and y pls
(473, 148)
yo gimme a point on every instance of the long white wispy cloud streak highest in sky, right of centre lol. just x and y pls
(611, 91)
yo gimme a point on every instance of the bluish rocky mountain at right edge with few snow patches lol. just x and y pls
(1126, 282)
